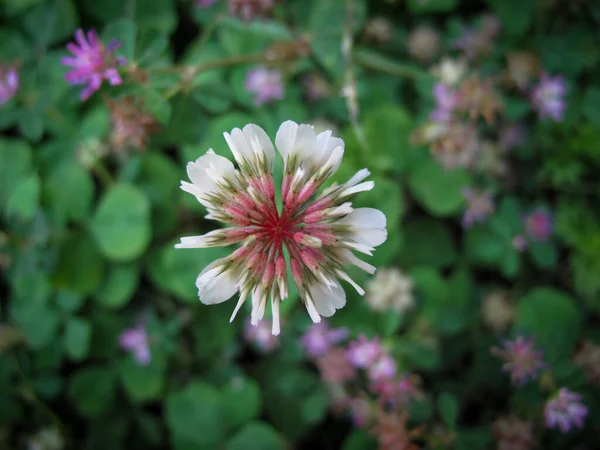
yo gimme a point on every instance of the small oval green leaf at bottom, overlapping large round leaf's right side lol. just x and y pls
(242, 401)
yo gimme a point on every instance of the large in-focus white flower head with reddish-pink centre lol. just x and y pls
(319, 235)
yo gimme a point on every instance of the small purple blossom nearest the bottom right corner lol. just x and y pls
(565, 411)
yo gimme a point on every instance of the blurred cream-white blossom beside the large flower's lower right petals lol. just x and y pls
(390, 289)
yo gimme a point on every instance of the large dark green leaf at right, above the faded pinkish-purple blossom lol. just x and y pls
(552, 318)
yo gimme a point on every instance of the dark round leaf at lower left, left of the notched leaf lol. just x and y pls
(92, 390)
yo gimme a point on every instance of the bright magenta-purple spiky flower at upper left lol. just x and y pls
(92, 63)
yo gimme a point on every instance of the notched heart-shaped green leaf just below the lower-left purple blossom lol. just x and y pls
(143, 383)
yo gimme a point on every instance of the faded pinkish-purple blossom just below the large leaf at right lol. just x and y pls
(523, 361)
